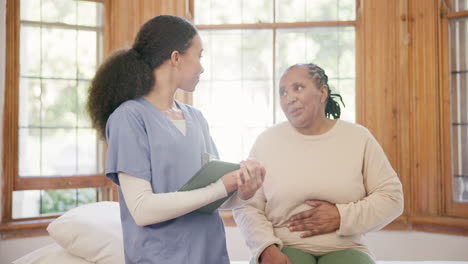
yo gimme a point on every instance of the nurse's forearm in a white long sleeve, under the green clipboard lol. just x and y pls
(148, 208)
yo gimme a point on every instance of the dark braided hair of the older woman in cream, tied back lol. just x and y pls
(332, 108)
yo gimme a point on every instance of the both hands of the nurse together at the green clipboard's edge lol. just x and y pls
(247, 180)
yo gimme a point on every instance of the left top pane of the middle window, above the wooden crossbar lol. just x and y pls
(233, 12)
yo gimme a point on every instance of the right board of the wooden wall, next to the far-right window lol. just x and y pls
(424, 111)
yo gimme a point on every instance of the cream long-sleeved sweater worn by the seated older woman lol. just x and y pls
(345, 166)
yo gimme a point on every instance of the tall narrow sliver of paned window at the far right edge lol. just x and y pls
(459, 101)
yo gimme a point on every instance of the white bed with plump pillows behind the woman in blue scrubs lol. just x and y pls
(92, 233)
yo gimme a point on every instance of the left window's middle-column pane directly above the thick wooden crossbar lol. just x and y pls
(59, 152)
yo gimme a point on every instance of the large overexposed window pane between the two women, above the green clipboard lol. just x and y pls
(233, 109)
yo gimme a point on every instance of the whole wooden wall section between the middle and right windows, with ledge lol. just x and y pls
(403, 98)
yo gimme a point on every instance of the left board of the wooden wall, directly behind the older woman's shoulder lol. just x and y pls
(379, 74)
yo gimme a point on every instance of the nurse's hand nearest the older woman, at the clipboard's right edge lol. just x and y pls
(252, 176)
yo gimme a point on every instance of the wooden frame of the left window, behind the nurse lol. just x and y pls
(13, 228)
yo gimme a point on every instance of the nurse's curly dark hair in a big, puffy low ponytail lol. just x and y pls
(128, 74)
